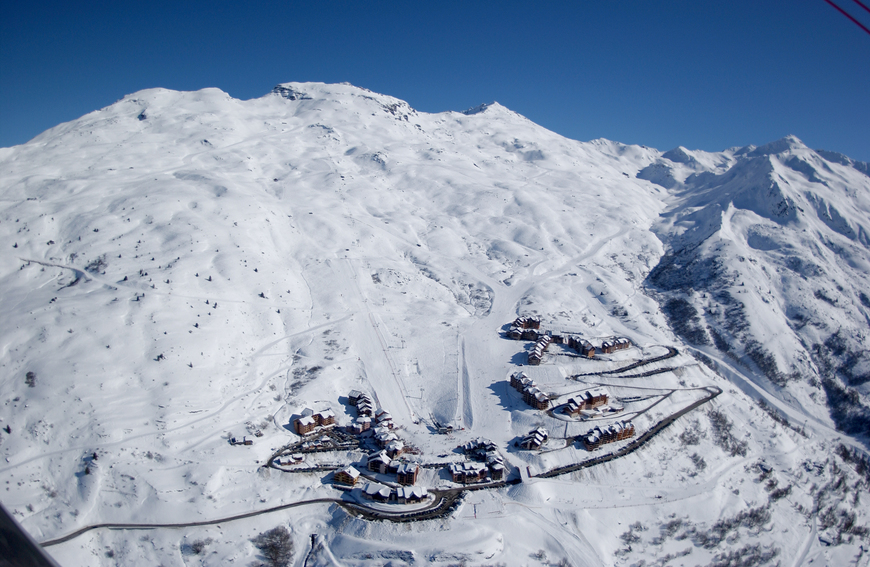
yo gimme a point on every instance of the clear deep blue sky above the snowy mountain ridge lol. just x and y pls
(703, 74)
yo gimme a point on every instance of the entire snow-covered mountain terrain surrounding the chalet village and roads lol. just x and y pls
(185, 267)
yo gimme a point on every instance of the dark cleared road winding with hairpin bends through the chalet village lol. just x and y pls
(446, 501)
